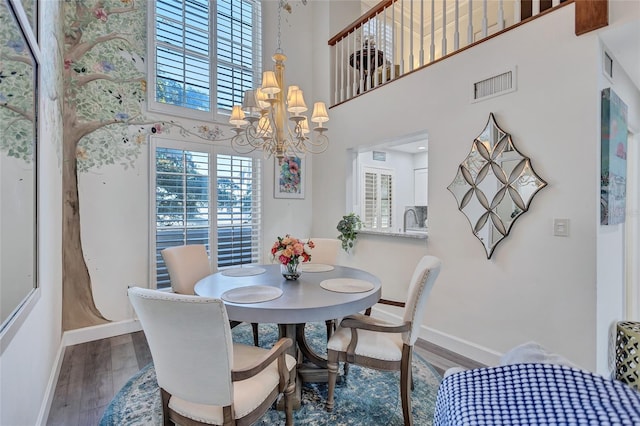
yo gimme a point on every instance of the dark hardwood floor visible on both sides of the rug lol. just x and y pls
(92, 374)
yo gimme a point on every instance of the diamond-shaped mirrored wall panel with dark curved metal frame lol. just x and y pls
(494, 185)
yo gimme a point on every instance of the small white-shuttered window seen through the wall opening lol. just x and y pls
(377, 192)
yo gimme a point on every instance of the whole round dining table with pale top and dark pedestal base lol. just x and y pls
(307, 299)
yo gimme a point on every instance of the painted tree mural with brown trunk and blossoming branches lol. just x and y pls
(104, 75)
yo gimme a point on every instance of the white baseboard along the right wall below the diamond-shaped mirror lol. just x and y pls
(462, 347)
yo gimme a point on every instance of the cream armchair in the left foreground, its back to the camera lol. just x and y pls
(204, 377)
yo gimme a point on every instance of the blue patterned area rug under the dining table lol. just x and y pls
(366, 398)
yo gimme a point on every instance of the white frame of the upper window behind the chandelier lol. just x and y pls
(215, 113)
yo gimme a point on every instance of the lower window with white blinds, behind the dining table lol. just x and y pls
(187, 211)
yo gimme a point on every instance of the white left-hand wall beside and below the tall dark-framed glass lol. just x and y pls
(27, 364)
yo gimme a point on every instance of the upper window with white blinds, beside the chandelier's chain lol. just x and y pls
(205, 55)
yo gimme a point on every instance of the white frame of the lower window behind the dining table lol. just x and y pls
(213, 151)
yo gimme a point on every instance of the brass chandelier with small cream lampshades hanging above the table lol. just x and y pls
(278, 126)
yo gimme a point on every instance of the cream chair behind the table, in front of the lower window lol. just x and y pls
(187, 265)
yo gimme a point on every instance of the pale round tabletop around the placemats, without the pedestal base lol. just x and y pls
(302, 300)
